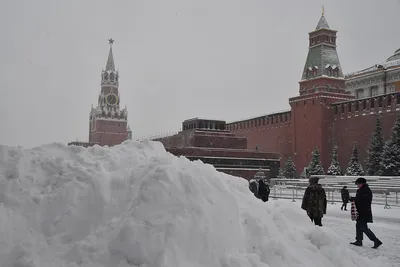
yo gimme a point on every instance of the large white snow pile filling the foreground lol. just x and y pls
(137, 205)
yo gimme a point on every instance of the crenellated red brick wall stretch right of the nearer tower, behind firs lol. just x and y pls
(358, 126)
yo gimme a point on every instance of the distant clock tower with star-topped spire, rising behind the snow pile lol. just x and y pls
(108, 123)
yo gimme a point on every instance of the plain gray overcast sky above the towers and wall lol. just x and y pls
(223, 59)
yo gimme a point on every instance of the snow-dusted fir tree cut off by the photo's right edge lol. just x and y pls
(390, 161)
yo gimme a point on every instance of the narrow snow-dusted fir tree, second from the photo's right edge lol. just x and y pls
(373, 162)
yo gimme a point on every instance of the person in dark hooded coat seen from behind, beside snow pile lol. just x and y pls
(314, 201)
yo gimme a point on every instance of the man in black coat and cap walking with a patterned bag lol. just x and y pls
(363, 200)
